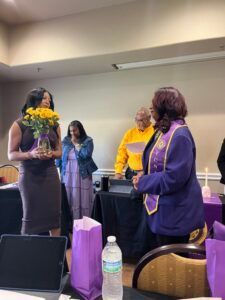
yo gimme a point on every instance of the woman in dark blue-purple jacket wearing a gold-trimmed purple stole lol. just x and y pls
(173, 198)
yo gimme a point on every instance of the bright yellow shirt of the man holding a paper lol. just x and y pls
(125, 156)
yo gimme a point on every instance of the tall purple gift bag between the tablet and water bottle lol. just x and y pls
(86, 267)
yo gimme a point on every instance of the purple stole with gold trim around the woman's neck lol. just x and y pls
(157, 162)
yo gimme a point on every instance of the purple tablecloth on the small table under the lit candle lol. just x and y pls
(213, 209)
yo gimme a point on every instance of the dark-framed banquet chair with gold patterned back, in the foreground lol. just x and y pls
(163, 271)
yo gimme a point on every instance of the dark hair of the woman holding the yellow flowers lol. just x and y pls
(34, 98)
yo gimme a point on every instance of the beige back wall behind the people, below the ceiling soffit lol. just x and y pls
(106, 104)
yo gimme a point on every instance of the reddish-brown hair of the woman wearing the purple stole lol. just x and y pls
(170, 105)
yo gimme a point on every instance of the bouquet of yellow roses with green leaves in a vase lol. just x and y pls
(40, 120)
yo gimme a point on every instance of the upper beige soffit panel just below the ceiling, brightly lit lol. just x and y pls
(137, 25)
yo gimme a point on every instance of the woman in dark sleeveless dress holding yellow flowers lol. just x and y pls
(39, 182)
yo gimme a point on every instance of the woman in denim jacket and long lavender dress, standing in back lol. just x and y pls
(77, 167)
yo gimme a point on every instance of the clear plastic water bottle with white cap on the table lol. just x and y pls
(112, 288)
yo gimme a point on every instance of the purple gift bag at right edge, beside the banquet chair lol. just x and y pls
(215, 258)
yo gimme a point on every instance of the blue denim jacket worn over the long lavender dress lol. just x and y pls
(84, 157)
